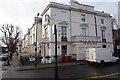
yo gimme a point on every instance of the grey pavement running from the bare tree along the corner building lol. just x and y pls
(15, 65)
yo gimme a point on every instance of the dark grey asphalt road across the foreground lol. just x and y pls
(75, 72)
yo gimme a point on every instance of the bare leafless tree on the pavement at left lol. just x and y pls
(11, 36)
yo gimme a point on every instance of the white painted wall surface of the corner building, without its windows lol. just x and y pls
(74, 28)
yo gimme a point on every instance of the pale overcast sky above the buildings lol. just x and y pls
(22, 12)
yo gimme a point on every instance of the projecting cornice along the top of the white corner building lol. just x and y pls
(68, 7)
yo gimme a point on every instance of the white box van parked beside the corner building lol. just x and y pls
(100, 55)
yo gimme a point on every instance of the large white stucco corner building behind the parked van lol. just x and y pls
(79, 26)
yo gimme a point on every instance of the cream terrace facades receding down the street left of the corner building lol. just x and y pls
(29, 41)
